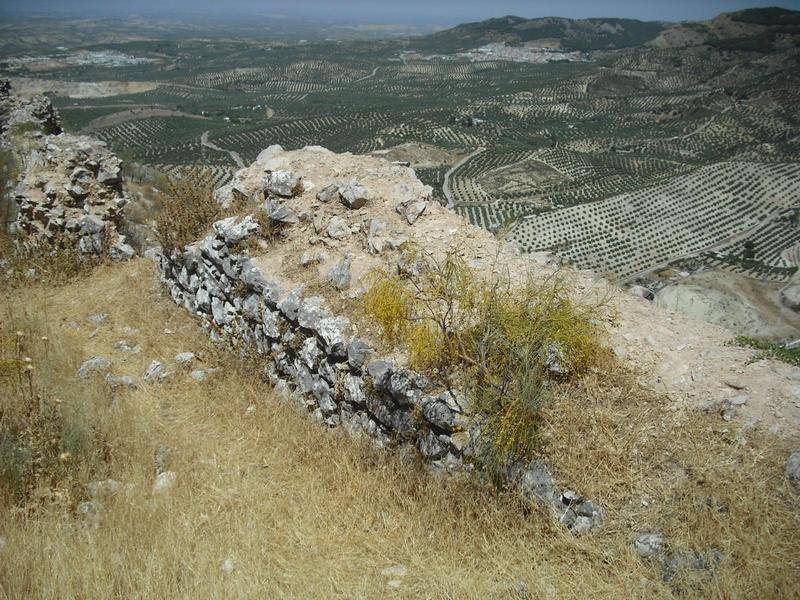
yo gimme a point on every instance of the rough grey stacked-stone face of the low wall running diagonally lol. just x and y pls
(311, 356)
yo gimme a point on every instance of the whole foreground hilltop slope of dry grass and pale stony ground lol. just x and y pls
(139, 458)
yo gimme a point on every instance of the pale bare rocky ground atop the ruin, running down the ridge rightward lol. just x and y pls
(690, 361)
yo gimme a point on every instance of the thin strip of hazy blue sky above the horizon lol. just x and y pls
(440, 11)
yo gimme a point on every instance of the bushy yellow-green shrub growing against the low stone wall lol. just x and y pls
(489, 337)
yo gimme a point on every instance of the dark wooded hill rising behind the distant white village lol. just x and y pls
(558, 32)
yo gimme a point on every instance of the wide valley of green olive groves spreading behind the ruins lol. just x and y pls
(596, 160)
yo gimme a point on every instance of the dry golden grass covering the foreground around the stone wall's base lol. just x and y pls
(309, 513)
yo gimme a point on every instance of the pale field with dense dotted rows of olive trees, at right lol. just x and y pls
(720, 207)
